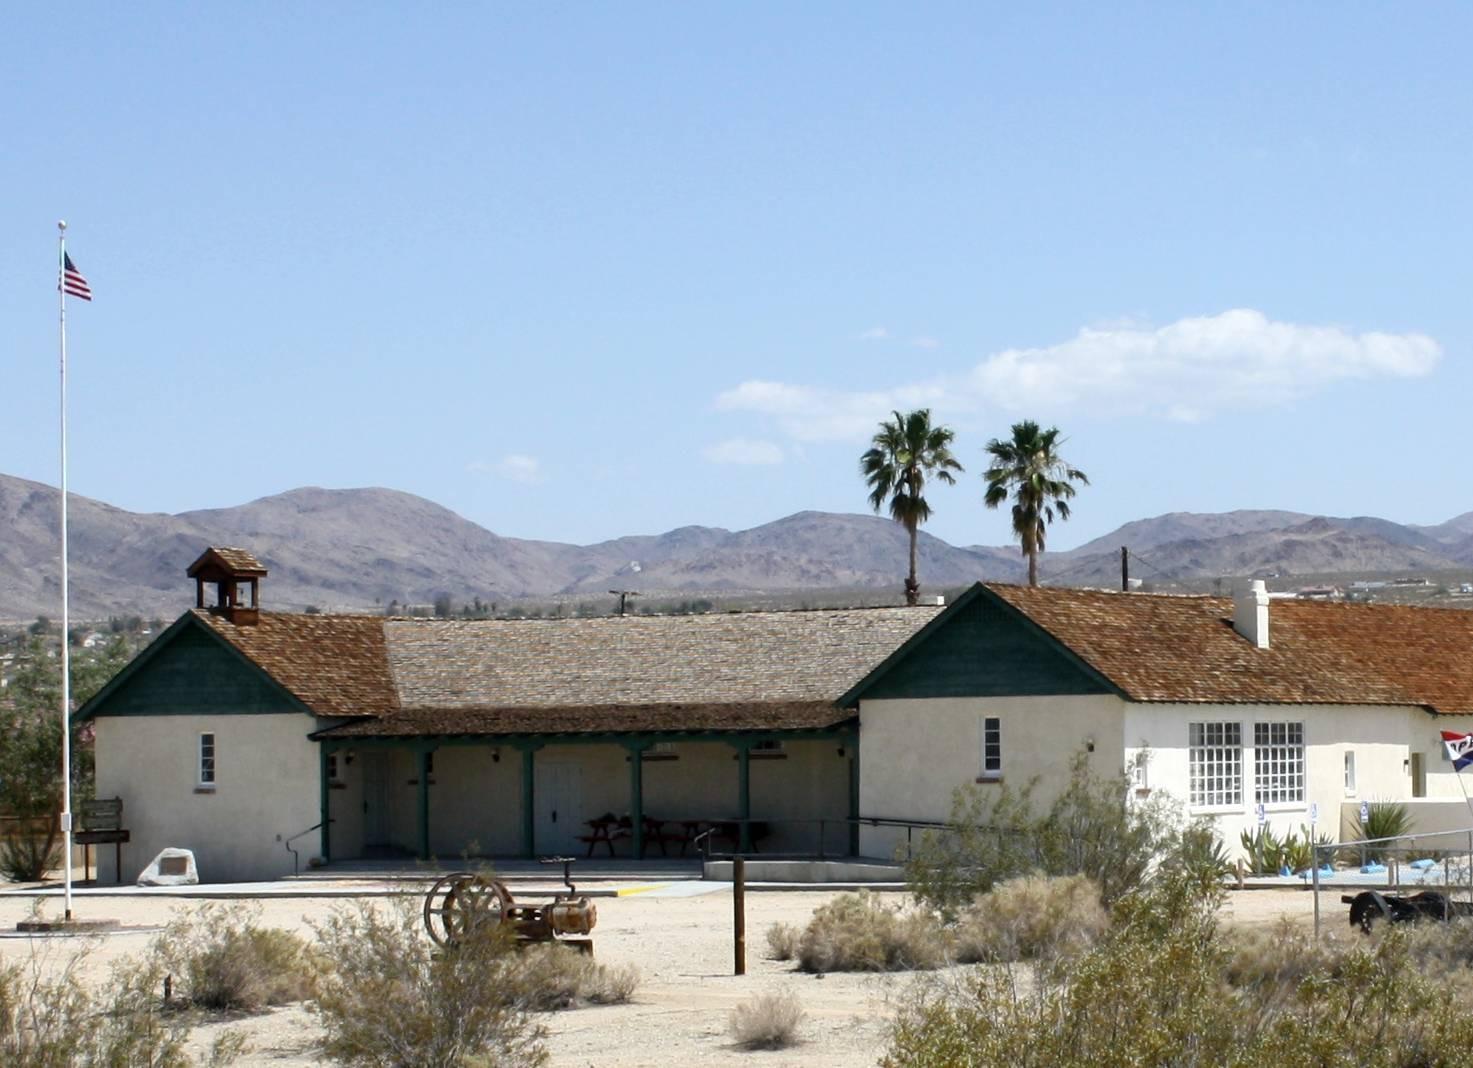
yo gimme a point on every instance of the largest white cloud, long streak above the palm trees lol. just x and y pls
(1185, 372)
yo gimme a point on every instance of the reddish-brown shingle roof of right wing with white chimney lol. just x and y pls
(1184, 649)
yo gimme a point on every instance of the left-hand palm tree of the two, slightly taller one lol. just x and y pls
(902, 457)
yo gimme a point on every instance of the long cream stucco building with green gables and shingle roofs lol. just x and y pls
(241, 730)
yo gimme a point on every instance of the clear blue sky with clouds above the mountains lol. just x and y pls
(578, 272)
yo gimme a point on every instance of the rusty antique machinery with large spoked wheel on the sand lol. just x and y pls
(460, 902)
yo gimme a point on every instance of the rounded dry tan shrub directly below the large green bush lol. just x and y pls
(1032, 917)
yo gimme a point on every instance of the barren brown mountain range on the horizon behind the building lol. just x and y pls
(366, 549)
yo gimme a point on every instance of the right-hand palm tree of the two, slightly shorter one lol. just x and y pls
(1039, 479)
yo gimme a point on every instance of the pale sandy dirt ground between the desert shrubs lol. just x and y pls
(683, 948)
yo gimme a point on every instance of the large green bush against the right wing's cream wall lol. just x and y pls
(1091, 830)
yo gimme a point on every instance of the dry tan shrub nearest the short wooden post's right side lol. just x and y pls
(859, 933)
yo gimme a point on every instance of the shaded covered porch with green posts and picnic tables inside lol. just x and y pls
(649, 796)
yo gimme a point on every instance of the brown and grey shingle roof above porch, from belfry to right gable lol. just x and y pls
(752, 671)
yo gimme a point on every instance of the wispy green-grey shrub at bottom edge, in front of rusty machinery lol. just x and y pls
(388, 998)
